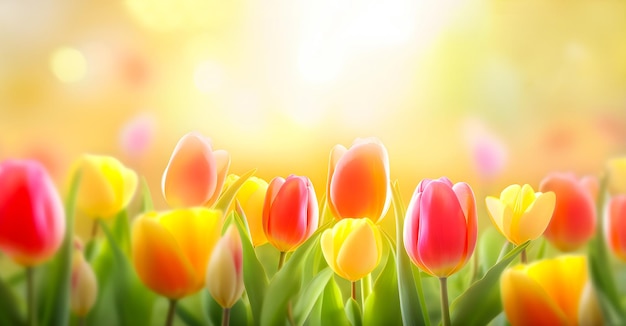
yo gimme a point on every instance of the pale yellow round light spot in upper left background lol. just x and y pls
(68, 64)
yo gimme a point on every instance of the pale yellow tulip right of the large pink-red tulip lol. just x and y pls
(520, 214)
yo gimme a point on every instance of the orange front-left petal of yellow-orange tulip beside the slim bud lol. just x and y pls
(155, 249)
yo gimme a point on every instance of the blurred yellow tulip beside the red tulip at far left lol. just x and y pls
(106, 185)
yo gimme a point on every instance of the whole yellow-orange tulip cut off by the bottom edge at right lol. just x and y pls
(546, 292)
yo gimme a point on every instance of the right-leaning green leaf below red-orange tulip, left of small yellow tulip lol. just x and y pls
(286, 284)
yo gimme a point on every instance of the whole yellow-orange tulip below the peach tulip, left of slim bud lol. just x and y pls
(171, 249)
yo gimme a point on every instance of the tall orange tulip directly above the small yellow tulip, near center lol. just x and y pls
(358, 180)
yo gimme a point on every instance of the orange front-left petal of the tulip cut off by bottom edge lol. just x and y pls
(526, 303)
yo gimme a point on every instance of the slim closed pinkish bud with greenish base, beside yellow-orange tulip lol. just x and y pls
(224, 277)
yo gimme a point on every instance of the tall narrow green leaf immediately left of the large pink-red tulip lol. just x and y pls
(409, 300)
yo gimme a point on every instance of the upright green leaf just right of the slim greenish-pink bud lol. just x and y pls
(254, 277)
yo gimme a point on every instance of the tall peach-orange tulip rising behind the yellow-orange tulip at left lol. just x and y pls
(195, 173)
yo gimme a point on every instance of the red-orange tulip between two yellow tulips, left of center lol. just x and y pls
(290, 213)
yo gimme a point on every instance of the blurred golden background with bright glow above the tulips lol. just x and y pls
(484, 91)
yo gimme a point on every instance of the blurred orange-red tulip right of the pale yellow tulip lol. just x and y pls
(573, 221)
